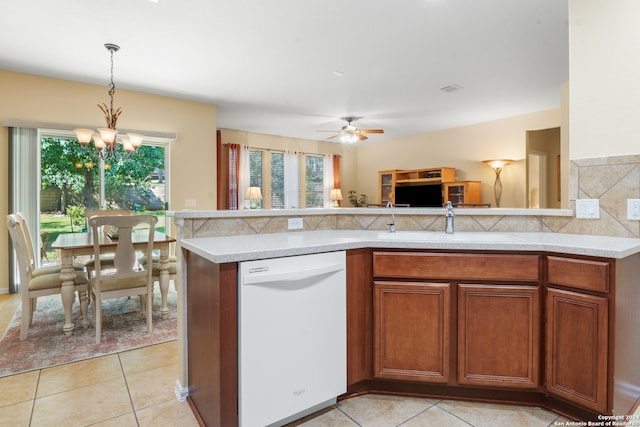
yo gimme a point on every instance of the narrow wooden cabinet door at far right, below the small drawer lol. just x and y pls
(577, 348)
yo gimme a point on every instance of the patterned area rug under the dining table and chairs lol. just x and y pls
(46, 345)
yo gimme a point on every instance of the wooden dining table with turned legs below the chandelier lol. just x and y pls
(72, 245)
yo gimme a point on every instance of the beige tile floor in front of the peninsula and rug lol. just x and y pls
(135, 388)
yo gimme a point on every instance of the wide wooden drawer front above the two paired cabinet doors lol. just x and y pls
(414, 265)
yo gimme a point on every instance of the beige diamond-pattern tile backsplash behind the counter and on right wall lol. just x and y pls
(612, 180)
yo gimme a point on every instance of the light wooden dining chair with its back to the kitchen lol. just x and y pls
(124, 278)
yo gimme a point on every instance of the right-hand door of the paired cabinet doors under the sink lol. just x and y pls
(499, 335)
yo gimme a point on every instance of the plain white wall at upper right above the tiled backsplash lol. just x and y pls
(604, 51)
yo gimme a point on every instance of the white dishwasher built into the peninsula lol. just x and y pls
(291, 337)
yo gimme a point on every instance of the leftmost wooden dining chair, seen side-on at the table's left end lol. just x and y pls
(36, 282)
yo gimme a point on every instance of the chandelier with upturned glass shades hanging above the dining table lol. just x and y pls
(106, 140)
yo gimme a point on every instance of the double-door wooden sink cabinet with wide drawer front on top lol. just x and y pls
(498, 323)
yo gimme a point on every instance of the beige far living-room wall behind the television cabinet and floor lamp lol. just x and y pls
(462, 148)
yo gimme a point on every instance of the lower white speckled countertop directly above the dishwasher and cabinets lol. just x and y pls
(250, 247)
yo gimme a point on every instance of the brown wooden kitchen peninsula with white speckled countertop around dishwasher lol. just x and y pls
(426, 313)
